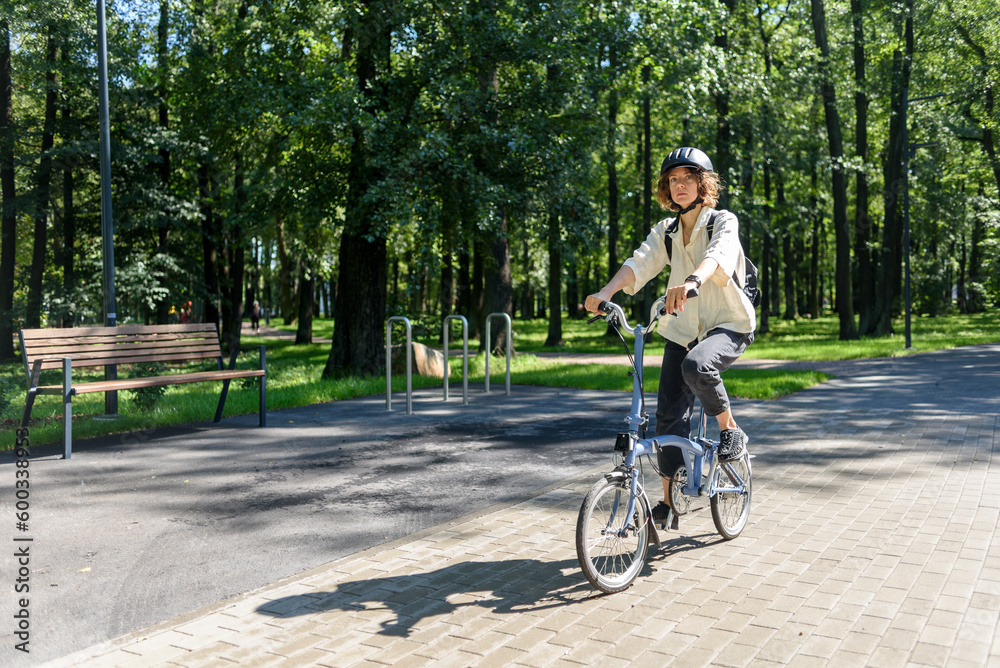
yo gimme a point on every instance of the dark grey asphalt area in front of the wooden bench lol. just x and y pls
(139, 528)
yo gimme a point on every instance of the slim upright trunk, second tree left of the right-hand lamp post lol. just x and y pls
(862, 222)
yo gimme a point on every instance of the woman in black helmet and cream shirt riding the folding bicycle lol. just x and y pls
(709, 333)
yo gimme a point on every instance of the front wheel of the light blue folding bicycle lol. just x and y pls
(612, 548)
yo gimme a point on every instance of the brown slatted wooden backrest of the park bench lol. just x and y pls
(126, 344)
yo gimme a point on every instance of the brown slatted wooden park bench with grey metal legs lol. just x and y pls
(66, 349)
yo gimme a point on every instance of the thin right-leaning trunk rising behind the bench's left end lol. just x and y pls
(33, 317)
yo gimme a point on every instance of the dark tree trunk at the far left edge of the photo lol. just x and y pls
(8, 244)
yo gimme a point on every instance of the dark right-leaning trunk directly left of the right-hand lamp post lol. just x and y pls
(888, 285)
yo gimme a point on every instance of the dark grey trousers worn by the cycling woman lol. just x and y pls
(693, 373)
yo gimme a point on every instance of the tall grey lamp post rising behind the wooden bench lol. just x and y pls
(107, 222)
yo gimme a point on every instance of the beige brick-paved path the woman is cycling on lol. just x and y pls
(873, 540)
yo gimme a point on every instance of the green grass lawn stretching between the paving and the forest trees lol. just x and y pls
(294, 373)
